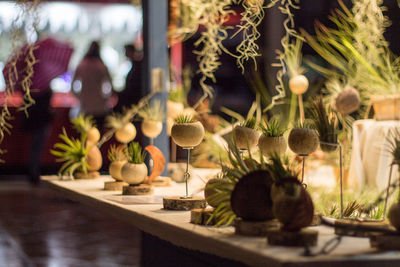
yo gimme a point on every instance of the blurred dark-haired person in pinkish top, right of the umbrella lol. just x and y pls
(92, 84)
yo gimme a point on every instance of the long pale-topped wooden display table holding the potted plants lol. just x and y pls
(216, 244)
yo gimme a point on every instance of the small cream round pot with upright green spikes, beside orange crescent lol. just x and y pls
(134, 172)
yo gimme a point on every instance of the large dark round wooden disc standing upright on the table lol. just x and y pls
(251, 197)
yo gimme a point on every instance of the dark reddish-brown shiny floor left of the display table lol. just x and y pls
(39, 228)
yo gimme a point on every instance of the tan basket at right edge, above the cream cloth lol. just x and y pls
(386, 107)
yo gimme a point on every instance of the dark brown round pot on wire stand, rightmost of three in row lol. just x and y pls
(303, 141)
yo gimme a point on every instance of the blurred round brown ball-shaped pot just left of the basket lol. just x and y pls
(347, 101)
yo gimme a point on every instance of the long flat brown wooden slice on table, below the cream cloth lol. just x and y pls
(352, 227)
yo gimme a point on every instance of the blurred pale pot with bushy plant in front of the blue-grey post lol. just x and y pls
(152, 115)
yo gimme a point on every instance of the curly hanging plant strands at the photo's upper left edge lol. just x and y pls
(27, 12)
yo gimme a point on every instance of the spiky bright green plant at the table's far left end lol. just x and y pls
(72, 152)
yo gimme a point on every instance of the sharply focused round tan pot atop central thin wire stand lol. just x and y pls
(187, 134)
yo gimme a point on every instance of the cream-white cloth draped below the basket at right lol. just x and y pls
(371, 158)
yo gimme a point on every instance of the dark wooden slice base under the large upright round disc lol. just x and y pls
(254, 228)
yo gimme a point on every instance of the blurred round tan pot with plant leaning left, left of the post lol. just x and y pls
(124, 129)
